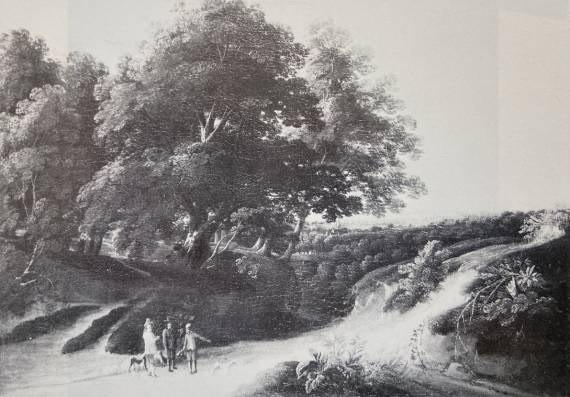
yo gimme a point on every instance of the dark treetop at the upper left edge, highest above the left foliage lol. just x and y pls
(23, 66)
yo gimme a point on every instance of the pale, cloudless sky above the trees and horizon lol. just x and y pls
(487, 81)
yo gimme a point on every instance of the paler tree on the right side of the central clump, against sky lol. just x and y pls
(365, 133)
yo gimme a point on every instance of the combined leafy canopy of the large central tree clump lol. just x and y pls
(216, 118)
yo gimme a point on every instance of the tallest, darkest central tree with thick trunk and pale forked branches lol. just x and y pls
(208, 100)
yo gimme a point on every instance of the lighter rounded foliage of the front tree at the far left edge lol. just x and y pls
(42, 166)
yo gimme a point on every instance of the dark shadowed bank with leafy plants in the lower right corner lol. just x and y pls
(517, 309)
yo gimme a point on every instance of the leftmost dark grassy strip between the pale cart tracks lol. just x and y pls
(46, 324)
